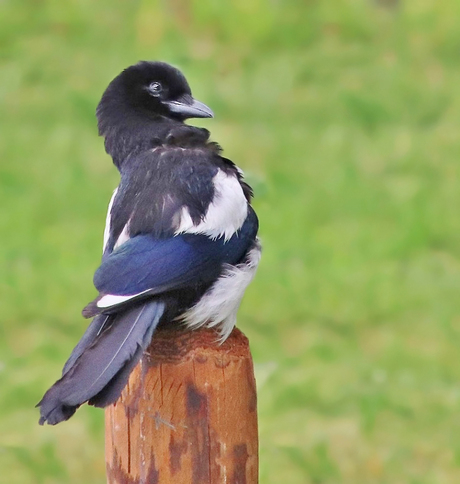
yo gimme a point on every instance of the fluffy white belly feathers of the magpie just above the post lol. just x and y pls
(220, 303)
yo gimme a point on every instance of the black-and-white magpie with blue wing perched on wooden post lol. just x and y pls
(180, 242)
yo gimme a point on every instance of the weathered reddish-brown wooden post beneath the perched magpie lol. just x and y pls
(188, 414)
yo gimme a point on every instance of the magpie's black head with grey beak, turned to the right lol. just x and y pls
(143, 103)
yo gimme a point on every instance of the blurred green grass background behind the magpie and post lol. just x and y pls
(345, 117)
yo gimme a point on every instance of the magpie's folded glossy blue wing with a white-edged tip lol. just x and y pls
(148, 265)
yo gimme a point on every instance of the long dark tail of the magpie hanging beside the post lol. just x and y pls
(99, 366)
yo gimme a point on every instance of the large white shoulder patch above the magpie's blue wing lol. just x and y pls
(225, 215)
